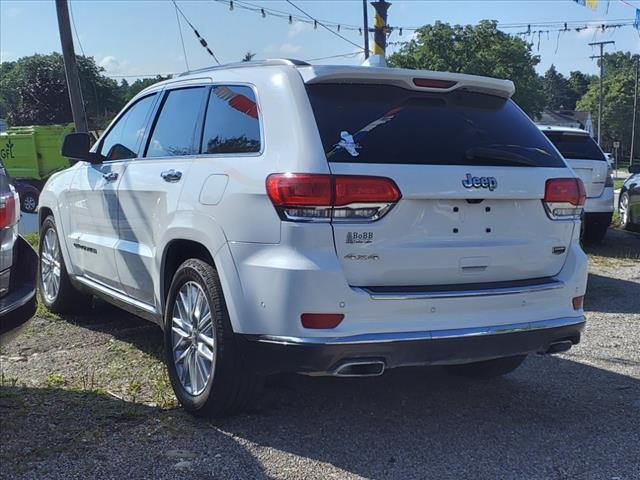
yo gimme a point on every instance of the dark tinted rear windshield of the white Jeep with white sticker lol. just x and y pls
(387, 124)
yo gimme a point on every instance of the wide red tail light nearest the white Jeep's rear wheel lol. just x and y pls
(322, 197)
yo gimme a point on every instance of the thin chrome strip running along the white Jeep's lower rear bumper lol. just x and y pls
(423, 335)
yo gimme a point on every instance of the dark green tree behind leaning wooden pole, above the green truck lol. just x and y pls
(33, 90)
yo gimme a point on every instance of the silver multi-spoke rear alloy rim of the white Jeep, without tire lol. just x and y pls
(193, 338)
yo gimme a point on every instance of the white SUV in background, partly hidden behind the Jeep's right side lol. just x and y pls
(591, 164)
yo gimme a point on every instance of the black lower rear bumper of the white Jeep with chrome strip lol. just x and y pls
(323, 356)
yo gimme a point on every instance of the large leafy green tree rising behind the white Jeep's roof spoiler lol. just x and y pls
(480, 50)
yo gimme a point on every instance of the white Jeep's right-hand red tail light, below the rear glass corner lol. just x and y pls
(564, 198)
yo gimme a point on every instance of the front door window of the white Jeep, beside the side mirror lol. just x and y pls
(123, 140)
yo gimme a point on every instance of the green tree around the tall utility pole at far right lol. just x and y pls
(618, 90)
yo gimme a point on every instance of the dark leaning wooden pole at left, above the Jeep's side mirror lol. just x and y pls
(70, 67)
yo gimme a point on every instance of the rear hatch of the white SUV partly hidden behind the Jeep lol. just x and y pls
(584, 156)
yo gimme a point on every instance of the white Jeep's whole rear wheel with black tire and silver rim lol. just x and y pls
(207, 370)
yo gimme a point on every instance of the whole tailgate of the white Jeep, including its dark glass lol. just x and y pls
(471, 168)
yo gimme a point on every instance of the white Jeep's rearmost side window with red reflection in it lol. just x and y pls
(232, 124)
